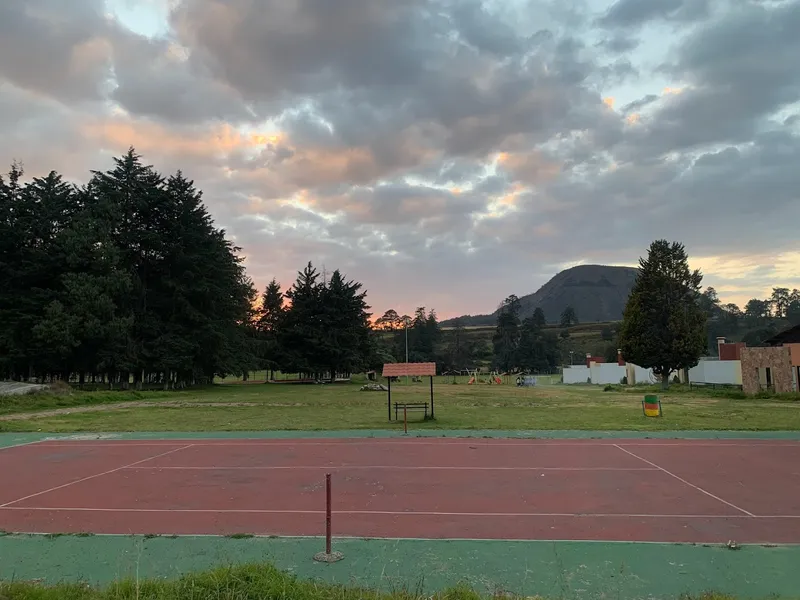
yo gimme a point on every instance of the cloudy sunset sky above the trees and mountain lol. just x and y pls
(445, 153)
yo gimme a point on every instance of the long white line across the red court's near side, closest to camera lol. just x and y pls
(258, 511)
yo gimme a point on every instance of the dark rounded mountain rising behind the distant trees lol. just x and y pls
(596, 292)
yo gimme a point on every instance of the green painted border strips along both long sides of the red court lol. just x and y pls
(568, 570)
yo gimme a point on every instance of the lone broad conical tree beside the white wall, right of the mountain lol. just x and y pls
(663, 325)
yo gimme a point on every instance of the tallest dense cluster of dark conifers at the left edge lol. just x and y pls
(123, 278)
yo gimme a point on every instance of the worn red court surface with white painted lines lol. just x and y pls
(702, 491)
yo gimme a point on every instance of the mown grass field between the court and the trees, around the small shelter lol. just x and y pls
(254, 407)
